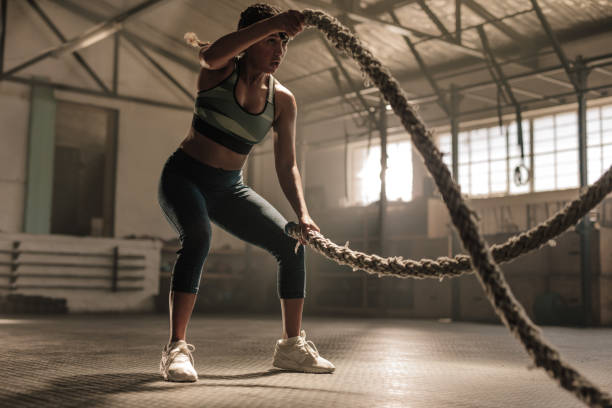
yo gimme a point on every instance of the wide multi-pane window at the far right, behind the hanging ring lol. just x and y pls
(488, 156)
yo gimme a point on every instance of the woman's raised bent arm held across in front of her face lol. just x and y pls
(221, 52)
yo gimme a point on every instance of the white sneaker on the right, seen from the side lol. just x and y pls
(297, 354)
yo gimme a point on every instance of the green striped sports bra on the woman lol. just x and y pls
(219, 116)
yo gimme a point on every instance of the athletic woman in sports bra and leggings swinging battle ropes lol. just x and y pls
(238, 102)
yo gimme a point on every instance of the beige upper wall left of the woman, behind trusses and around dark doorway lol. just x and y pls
(147, 134)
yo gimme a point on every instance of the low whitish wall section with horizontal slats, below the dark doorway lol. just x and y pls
(85, 288)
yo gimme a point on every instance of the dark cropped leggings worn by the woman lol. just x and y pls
(192, 194)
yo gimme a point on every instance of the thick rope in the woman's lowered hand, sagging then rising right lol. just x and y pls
(444, 266)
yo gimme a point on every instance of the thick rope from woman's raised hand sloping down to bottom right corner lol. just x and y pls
(489, 275)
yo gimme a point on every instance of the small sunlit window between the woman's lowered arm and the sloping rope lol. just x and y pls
(364, 168)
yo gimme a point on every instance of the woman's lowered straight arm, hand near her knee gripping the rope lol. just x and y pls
(285, 161)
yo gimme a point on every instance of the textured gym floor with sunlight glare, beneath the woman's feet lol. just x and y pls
(112, 361)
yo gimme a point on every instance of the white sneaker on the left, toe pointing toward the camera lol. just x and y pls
(177, 362)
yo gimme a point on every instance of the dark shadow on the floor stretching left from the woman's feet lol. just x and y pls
(92, 390)
